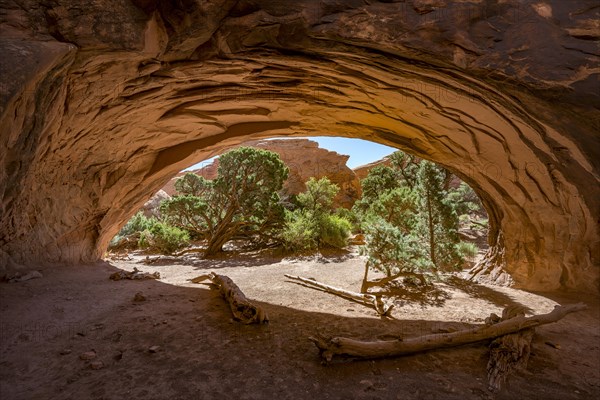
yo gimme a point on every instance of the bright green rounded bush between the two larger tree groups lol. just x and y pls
(314, 223)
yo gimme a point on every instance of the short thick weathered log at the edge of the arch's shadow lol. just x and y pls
(241, 308)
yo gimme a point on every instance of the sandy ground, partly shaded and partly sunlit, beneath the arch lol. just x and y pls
(48, 323)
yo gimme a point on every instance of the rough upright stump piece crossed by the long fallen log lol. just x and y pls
(508, 353)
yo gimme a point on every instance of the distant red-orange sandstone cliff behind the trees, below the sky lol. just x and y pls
(304, 159)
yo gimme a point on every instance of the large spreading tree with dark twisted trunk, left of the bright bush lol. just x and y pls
(242, 202)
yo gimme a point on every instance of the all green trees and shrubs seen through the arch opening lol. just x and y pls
(409, 215)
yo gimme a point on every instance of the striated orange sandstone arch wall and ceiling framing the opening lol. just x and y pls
(103, 102)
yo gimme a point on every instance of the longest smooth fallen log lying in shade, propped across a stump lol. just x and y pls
(330, 347)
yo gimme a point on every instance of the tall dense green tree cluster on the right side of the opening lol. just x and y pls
(410, 217)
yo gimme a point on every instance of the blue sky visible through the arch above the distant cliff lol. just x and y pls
(360, 151)
